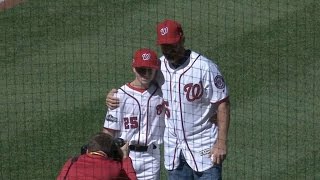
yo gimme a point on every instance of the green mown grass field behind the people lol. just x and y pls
(59, 58)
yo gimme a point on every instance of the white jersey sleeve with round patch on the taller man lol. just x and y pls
(215, 84)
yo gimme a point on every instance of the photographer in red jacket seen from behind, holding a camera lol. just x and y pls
(103, 159)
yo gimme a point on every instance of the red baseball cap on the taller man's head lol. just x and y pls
(169, 32)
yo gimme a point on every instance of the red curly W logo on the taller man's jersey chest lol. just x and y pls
(194, 91)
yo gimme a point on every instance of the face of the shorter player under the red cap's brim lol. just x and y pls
(144, 75)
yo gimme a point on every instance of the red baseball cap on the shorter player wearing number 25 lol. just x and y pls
(146, 58)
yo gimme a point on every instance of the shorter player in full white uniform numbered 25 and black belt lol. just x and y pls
(139, 120)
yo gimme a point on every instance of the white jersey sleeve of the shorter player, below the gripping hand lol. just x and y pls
(113, 118)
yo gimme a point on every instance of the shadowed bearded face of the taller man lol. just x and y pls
(172, 52)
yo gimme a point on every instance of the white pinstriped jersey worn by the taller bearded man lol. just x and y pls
(189, 92)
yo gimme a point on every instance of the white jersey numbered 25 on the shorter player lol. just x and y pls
(139, 117)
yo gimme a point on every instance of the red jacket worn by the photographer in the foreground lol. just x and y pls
(91, 167)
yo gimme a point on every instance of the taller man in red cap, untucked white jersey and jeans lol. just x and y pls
(196, 102)
